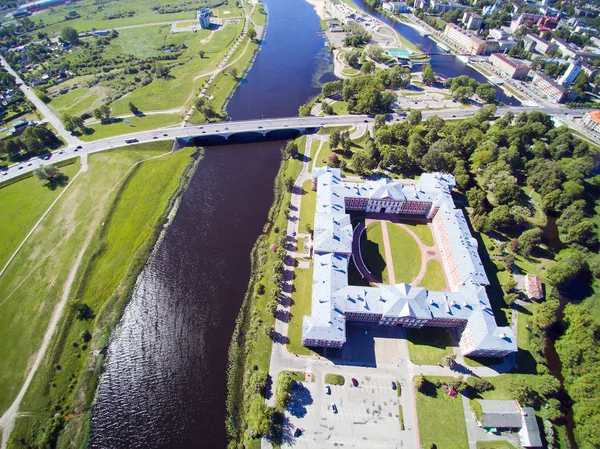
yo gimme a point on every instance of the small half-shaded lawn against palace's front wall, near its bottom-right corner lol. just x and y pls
(428, 345)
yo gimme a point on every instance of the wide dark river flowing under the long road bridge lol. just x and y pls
(165, 379)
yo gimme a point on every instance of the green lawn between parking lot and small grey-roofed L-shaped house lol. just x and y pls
(441, 420)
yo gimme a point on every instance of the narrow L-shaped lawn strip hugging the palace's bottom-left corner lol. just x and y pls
(301, 306)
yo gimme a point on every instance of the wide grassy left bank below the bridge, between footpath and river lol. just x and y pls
(99, 234)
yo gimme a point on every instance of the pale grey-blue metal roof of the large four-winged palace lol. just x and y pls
(332, 297)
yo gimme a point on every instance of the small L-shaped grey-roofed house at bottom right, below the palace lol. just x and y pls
(509, 415)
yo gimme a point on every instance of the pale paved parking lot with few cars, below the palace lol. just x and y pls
(367, 415)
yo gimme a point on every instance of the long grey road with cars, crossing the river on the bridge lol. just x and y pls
(261, 126)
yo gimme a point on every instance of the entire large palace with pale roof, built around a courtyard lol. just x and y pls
(464, 307)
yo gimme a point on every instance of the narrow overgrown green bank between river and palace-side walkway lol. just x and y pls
(254, 333)
